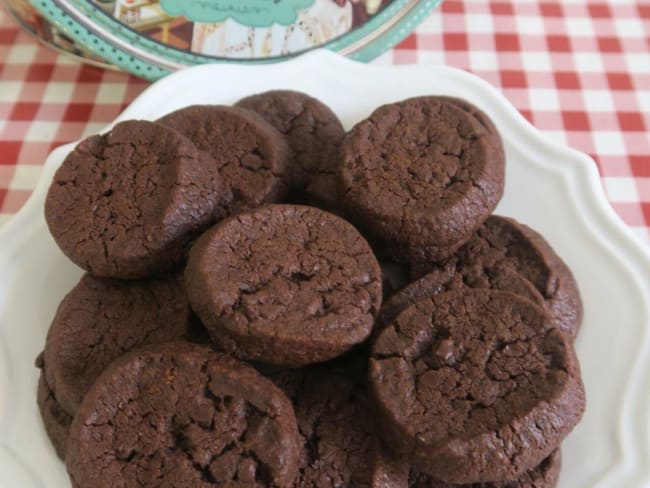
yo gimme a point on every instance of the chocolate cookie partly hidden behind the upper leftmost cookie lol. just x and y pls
(252, 156)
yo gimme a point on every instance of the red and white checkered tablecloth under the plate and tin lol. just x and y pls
(579, 70)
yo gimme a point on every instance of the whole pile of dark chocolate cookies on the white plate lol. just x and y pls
(271, 302)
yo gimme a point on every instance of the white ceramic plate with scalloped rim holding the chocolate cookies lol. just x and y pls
(553, 189)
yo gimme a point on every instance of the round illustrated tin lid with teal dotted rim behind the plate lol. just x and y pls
(150, 38)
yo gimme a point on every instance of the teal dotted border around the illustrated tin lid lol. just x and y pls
(119, 45)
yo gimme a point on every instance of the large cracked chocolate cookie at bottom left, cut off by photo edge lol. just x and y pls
(182, 415)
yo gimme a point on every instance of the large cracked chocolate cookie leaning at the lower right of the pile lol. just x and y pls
(475, 386)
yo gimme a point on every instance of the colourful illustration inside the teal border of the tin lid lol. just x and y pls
(244, 28)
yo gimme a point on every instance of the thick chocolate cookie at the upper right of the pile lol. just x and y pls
(420, 176)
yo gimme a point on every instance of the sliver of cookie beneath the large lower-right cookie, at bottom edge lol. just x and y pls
(545, 475)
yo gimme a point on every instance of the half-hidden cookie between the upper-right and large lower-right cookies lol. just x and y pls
(501, 248)
